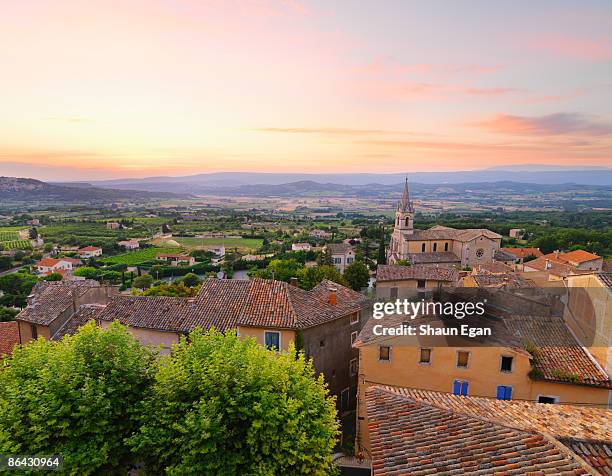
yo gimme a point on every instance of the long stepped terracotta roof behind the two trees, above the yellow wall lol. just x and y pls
(228, 303)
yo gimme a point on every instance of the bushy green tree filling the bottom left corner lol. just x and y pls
(75, 398)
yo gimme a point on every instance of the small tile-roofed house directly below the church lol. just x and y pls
(394, 282)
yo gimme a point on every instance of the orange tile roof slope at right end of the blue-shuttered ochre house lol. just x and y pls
(558, 355)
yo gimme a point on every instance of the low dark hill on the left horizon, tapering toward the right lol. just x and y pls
(17, 189)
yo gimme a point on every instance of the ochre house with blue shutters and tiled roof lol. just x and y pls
(532, 358)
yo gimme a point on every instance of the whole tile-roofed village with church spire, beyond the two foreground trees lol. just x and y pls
(406, 404)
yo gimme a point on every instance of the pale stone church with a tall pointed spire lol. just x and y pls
(438, 245)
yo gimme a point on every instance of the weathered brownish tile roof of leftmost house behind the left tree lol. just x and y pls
(49, 299)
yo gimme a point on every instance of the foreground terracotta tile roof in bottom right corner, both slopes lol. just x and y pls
(411, 431)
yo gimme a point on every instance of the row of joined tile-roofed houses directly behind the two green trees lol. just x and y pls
(323, 322)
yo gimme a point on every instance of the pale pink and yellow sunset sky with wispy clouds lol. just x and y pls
(133, 88)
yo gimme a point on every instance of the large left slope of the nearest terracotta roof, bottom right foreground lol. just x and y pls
(409, 436)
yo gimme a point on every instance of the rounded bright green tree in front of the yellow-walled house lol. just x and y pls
(225, 405)
